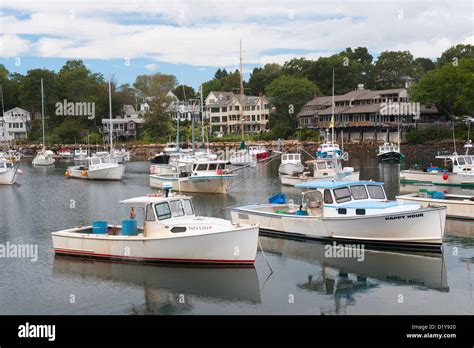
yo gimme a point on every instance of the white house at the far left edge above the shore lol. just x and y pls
(15, 124)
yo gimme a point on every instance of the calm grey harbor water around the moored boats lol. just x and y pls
(44, 201)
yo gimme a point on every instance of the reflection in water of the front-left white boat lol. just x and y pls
(236, 284)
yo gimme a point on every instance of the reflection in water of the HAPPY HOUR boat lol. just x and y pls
(426, 270)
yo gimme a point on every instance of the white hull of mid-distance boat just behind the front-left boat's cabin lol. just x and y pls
(208, 184)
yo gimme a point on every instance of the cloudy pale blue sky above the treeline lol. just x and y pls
(191, 39)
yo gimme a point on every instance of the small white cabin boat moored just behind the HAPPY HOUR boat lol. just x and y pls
(323, 169)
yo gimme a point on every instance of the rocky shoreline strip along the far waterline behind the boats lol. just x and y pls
(357, 149)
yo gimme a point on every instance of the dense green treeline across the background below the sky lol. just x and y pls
(447, 83)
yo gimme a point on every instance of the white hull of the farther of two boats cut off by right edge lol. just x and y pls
(444, 179)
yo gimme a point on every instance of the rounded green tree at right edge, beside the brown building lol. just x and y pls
(449, 88)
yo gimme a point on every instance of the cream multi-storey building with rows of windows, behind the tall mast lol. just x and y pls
(224, 110)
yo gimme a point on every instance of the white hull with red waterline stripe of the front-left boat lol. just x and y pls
(233, 246)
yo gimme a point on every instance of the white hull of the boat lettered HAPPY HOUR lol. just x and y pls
(422, 228)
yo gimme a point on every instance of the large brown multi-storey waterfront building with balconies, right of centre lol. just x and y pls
(368, 114)
